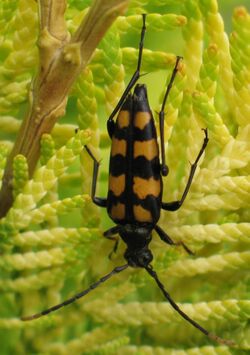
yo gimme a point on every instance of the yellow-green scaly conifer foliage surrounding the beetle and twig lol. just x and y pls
(51, 239)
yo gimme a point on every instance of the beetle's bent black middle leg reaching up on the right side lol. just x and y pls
(175, 205)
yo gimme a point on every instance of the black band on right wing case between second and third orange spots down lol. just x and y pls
(145, 168)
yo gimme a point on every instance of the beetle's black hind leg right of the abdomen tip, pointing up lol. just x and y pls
(164, 168)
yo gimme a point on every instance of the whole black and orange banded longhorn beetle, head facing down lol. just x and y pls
(134, 198)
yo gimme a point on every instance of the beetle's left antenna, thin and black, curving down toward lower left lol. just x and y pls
(116, 270)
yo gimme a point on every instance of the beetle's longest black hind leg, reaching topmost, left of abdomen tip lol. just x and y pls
(133, 80)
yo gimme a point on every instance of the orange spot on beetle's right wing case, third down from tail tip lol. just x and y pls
(144, 187)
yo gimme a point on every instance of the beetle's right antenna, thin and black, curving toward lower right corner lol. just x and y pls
(214, 337)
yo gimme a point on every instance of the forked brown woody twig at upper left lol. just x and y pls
(61, 60)
